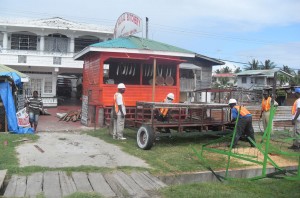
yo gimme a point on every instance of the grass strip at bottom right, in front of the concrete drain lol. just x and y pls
(236, 188)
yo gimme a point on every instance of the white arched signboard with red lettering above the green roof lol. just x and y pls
(128, 24)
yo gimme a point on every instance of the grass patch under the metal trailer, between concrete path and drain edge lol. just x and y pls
(170, 155)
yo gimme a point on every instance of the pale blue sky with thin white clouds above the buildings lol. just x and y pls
(235, 31)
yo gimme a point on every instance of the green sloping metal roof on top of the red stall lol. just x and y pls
(134, 42)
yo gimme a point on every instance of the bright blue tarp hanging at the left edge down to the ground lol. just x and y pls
(9, 105)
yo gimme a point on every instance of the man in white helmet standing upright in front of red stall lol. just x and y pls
(119, 113)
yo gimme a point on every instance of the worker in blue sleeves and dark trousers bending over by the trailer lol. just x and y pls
(244, 126)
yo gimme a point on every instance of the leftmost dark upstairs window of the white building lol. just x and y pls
(23, 42)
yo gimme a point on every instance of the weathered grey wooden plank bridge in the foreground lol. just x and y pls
(60, 184)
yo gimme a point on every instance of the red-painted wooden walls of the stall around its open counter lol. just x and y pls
(102, 94)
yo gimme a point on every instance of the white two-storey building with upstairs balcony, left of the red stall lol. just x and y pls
(44, 49)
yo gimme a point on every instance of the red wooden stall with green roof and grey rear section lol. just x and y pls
(148, 68)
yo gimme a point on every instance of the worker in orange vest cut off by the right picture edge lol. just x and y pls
(296, 121)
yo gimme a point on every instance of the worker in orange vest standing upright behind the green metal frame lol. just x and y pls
(265, 110)
